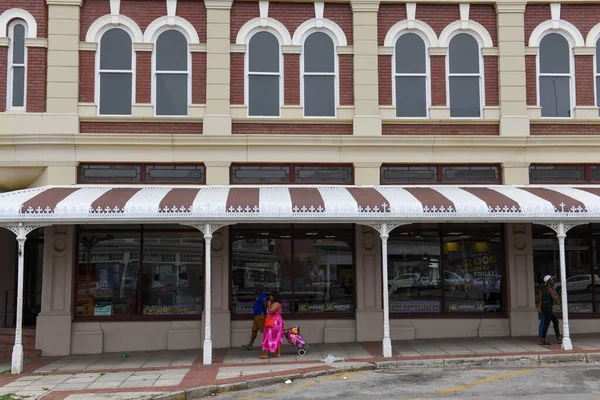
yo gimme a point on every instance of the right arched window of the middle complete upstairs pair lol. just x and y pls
(319, 72)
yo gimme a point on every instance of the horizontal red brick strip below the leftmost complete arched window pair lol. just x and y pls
(140, 127)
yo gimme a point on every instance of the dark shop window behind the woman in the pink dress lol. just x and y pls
(312, 267)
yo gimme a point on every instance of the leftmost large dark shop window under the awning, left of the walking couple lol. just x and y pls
(135, 272)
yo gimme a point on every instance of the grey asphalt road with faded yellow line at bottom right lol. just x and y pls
(555, 382)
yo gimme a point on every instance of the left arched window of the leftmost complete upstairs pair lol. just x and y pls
(115, 73)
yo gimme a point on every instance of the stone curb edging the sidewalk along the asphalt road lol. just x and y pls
(524, 360)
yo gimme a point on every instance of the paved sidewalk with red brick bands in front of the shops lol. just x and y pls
(181, 375)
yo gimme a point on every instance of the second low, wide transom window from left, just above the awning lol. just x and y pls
(290, 173)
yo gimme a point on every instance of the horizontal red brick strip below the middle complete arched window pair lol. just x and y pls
(291, 129)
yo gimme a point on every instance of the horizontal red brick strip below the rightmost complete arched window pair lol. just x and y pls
(426, 129)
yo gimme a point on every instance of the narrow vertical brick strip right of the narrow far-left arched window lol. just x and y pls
(36, 79)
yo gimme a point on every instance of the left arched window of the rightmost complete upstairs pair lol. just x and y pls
(410, 76)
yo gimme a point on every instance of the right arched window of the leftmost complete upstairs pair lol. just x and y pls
(171, 74)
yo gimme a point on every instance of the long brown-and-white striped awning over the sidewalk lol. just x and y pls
(278, 203)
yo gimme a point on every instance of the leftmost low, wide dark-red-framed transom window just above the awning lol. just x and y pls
(142, 173)
